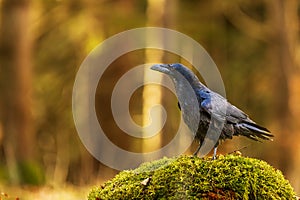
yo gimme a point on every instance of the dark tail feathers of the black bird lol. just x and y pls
(254, 131)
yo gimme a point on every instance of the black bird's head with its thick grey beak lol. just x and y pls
(177, 71)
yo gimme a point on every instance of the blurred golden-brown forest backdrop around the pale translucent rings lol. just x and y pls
(255, 45)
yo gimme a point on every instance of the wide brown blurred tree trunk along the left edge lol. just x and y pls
(16, 89)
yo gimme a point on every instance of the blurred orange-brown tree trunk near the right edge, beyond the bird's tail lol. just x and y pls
(284, 36)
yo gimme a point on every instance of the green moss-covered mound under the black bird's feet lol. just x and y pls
(189, 177)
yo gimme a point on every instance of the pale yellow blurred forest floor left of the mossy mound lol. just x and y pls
(45, 192)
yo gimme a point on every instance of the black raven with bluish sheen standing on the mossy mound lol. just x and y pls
(205, 111)
